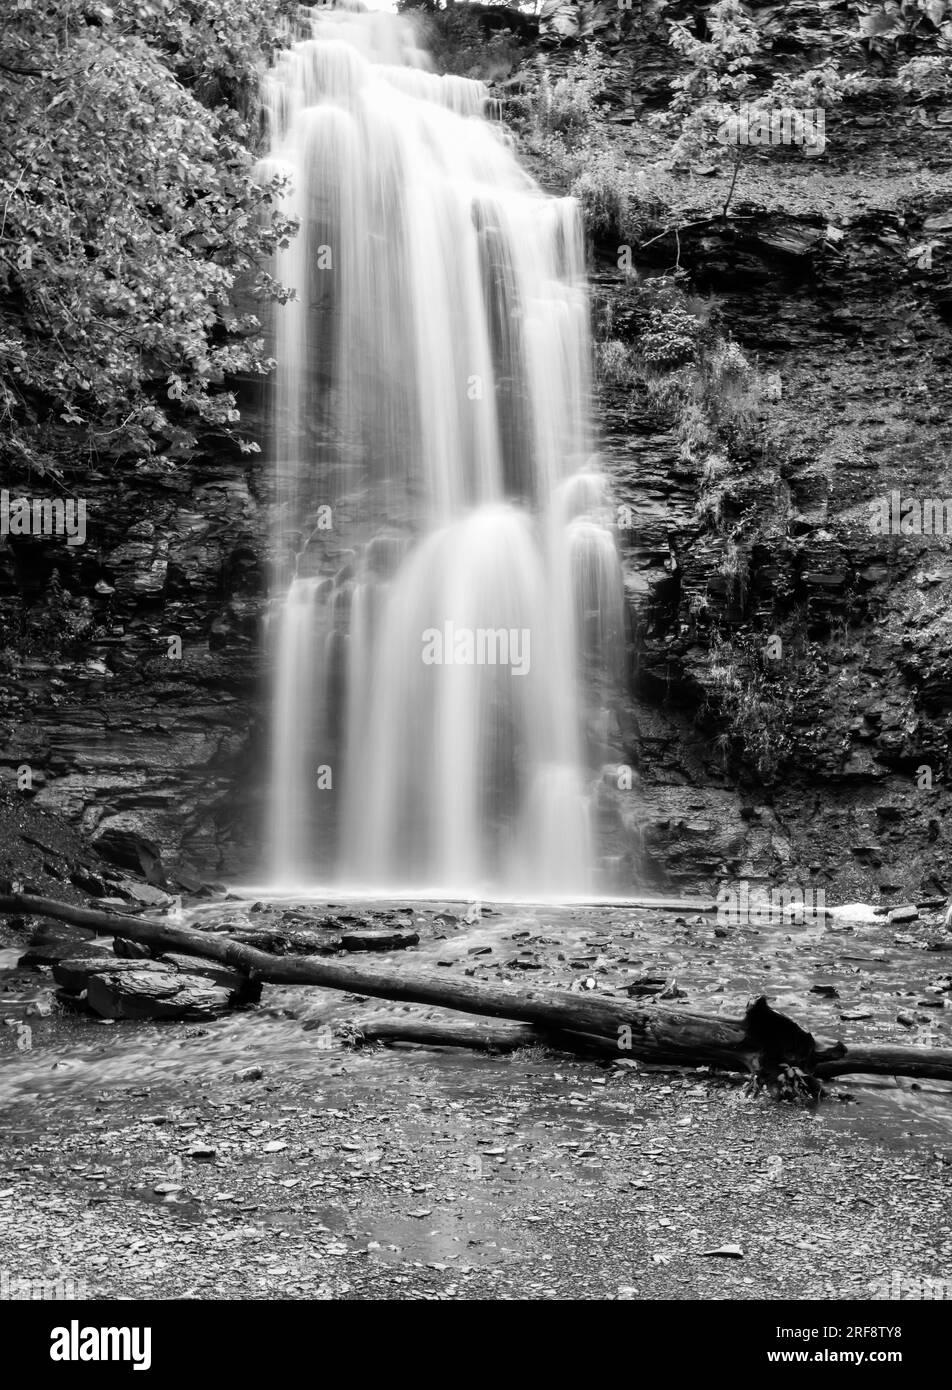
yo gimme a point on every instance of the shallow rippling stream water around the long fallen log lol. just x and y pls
(876, 972)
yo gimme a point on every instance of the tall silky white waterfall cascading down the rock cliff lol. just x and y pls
(448, 578)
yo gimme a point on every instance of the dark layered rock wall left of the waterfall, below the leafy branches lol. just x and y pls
(130, 696)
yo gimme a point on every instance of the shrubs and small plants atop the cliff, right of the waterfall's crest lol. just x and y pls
(757, 58)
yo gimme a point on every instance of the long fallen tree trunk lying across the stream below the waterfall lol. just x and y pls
(762, 1043)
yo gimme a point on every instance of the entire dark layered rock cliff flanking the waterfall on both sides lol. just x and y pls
(825, 764)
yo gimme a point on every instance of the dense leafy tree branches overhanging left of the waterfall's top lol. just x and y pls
(134, 233)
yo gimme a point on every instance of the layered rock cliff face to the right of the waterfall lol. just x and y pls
(830, 764)
